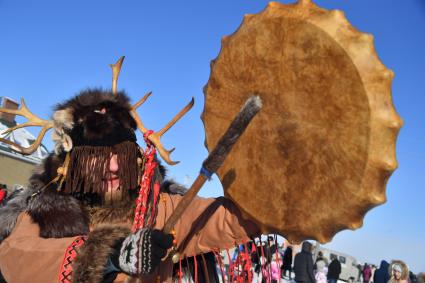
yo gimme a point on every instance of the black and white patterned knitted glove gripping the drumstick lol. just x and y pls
(142, 251)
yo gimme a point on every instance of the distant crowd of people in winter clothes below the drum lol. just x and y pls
(272, 264)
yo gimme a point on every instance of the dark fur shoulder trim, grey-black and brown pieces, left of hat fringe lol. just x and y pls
(57, 215)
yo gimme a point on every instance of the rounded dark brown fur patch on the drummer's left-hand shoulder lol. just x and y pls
(58, 215)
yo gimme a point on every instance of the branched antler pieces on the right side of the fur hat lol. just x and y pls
(155, 138)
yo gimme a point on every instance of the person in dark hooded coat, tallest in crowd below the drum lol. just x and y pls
(303, 264)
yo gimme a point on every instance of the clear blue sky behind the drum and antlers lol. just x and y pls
(49, 50)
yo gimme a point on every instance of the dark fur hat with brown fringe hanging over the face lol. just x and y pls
(90, 127)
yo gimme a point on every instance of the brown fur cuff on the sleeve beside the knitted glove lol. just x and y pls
(89, 265)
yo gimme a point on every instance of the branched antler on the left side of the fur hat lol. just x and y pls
(33, 120)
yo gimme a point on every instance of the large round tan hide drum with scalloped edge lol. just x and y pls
(319, 154)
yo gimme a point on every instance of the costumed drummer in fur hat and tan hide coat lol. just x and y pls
(89, 216)
